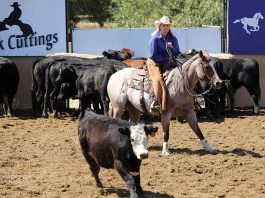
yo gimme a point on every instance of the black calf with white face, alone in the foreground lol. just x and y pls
(114, 143)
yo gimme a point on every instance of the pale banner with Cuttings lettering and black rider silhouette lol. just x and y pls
(32, 27)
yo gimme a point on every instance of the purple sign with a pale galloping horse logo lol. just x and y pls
(246, 27)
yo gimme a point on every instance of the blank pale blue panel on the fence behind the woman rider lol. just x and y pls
(95, 41)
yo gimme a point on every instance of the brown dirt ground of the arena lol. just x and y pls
(42, 158)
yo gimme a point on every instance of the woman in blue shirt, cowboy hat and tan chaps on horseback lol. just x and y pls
(159, 60)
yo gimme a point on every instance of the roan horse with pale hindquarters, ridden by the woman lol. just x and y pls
(180, 98)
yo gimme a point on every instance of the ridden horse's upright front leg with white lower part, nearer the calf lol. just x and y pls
(165, 119)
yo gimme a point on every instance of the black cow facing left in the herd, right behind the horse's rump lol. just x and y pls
(91, 83)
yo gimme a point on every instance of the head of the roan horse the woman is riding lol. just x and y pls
(207, 72)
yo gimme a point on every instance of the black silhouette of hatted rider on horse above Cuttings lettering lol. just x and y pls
(13, 19)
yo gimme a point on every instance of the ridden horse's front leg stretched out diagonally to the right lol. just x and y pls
(192, 121)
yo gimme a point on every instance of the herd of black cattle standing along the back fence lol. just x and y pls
(62, 77)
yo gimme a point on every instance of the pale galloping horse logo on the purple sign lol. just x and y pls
(252, 22)
